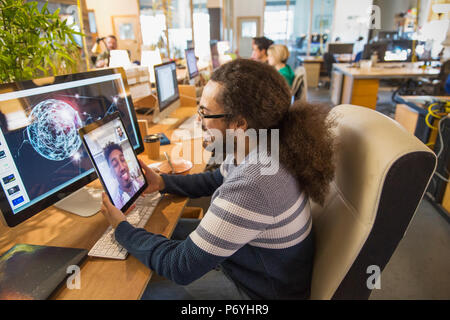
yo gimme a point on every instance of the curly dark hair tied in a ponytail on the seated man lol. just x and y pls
(258, 93)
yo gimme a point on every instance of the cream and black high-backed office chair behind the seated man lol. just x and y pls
(382, 172)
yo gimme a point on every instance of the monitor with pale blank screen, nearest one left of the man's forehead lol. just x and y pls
(166, 84)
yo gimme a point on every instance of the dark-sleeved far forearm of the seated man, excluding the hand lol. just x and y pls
(193, 186)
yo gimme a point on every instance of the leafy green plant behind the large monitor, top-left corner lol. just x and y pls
(34, 43)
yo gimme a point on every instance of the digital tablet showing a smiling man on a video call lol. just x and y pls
(114, 159)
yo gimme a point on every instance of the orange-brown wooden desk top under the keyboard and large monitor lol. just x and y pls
(100, 278)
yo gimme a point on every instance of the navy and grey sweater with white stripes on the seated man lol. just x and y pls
(258, 228)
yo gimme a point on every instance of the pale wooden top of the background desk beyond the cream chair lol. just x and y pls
(384, 71)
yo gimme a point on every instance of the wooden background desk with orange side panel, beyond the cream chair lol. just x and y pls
(351, 85)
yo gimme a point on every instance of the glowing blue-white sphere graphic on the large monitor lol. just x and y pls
(53, 129)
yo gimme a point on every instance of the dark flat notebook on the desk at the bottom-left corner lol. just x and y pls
(31, 272)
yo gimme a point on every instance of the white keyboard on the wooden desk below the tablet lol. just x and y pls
(107, 246)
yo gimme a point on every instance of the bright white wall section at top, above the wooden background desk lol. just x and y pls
(345, 19)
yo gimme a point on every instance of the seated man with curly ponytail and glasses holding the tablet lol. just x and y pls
(256, 239)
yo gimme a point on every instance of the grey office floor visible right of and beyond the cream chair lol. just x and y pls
(419, 268)
